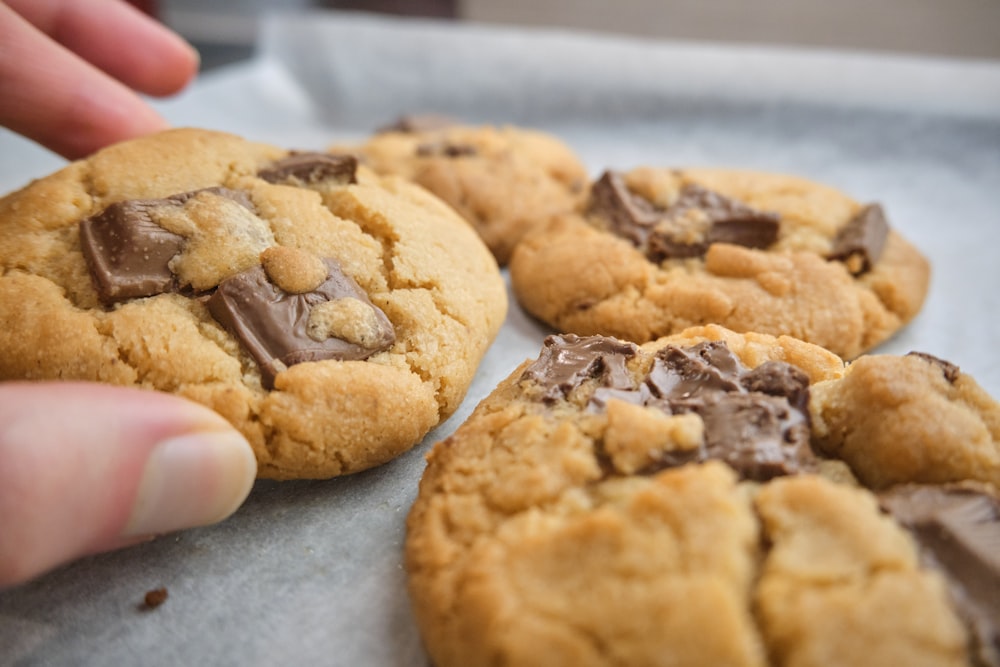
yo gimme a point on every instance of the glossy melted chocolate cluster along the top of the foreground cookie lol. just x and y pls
(756, 420)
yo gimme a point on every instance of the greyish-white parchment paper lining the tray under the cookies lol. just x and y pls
(310, 572)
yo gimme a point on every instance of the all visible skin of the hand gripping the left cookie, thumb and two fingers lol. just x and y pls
(86, 468)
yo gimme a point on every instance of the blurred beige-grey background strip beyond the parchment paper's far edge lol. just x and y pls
(224, 30)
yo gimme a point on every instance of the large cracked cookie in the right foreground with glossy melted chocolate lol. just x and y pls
(616, 504)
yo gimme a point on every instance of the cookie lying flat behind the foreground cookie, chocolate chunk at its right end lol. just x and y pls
(658, 250)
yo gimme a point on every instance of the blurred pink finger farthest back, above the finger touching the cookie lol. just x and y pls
(118, 39)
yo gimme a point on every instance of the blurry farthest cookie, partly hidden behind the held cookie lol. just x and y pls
(503, 180)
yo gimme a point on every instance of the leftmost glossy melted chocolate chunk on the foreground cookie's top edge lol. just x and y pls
(568, 361)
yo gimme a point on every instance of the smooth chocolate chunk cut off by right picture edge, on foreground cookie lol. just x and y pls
(958, 530)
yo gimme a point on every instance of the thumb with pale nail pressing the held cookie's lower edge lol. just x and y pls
(87, 468)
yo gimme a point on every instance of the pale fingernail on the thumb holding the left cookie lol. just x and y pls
(192, 480)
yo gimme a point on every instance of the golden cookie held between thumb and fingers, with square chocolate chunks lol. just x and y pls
(331, 315)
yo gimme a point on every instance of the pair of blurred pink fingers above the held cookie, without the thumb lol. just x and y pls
(68, 69)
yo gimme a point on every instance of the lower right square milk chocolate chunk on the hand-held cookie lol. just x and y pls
(273, 324)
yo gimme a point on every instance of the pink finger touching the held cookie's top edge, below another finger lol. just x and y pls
(51, 96)
